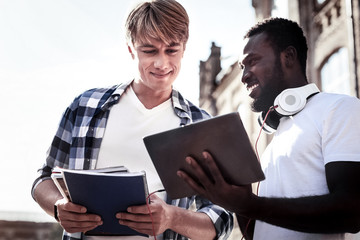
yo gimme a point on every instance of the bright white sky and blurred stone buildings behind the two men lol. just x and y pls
(51, 51)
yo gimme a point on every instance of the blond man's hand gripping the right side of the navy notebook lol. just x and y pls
(139, 218)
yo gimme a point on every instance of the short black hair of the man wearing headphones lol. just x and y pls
(283, 33)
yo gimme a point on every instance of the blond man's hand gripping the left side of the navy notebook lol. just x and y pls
(73, 218)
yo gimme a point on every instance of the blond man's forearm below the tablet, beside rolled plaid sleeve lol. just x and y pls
(195, 225)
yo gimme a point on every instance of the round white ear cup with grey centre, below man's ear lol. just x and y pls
(289, 102)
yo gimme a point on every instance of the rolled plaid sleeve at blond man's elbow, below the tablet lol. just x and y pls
(222, 219)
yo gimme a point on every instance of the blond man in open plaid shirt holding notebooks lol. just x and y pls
(104, 127)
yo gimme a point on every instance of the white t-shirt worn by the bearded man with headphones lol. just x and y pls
(326, 130)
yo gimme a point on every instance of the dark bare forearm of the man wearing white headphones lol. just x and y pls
(317, 214)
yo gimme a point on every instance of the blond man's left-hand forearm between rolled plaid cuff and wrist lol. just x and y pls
(46, 194)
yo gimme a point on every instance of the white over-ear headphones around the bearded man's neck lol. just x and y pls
(288, 103)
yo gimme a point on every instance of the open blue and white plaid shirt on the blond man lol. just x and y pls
(77, 142)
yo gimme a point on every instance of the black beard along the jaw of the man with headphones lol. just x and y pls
(270, 90)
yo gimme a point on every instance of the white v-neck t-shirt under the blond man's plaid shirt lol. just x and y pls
(129, 121)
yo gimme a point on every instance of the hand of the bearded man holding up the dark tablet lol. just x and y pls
(214, 187)
